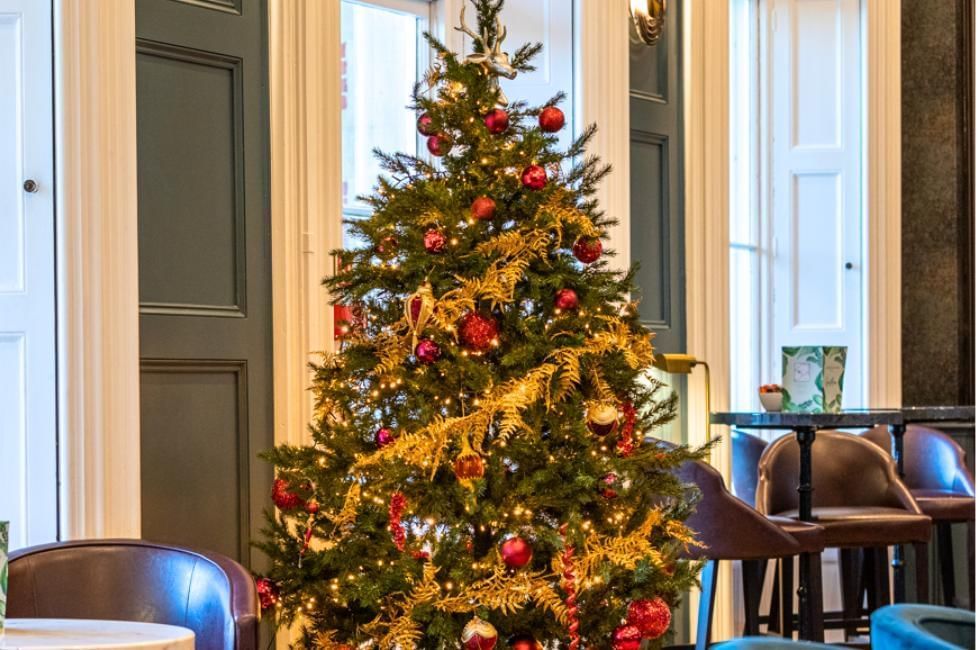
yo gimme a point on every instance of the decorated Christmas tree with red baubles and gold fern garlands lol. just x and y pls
(479, 469)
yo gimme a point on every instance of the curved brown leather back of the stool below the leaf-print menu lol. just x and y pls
(848, 471)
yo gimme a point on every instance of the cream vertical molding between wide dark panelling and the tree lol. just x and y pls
(305, 137)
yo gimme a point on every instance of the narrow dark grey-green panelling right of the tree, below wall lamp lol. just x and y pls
(656, 182)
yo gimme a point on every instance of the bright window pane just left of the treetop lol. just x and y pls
(381, 51)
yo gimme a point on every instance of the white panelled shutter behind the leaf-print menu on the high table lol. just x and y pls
(816, 152)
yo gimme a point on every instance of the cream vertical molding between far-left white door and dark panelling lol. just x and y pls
(98, 294)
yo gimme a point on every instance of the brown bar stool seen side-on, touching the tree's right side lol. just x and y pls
(732, 530)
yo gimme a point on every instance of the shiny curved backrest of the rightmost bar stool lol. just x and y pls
(933, 460)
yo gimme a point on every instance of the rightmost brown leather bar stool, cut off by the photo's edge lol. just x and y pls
(939, 479)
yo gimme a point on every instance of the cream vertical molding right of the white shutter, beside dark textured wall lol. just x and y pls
(884, 202)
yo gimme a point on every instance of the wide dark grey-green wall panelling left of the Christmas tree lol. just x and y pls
(205, 285)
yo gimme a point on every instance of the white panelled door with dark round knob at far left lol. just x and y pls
(28, 466)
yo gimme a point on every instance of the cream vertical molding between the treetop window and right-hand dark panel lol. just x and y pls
(603, 68)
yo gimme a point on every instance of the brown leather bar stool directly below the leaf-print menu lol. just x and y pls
(857, 498)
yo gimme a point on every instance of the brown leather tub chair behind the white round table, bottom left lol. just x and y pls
(133, 580)
